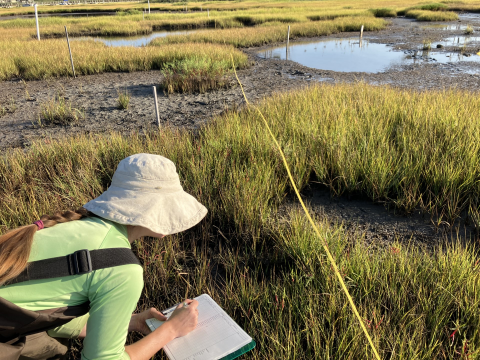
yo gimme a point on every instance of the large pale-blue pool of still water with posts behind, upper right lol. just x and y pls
(349, 55)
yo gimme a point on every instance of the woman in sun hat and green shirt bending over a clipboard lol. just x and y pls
(145, 199)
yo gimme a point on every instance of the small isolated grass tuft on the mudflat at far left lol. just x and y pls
(59, 111)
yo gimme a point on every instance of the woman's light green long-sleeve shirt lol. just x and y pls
(113, 292)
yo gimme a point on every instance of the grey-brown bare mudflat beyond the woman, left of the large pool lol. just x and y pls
(97, 97)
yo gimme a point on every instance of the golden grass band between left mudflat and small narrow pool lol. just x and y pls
(49, 58)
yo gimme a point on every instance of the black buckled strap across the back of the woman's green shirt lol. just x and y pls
(78, 263)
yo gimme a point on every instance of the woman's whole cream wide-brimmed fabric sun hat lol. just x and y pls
(146, 191)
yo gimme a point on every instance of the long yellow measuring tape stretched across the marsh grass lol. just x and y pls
(330, 257)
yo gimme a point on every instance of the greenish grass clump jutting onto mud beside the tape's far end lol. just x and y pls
(197, 74)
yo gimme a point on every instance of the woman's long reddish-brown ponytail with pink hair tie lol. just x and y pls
(16, 244)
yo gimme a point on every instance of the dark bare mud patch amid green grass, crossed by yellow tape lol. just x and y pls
(375, 223)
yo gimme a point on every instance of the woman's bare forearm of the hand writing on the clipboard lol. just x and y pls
(145, 348)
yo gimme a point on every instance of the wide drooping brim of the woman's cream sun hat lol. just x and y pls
(164, 214)
